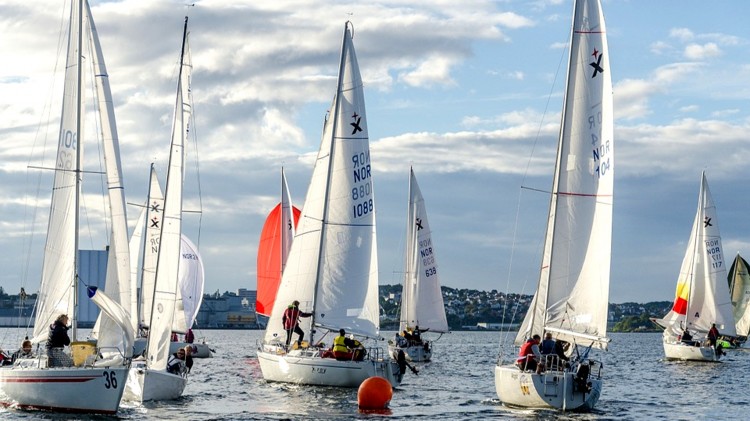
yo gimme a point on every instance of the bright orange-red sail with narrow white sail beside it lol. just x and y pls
(273, 249)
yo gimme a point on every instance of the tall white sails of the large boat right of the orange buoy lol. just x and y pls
(573, 290)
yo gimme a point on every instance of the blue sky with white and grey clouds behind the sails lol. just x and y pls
(468, 93)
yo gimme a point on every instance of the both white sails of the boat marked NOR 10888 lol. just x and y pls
(332, 265)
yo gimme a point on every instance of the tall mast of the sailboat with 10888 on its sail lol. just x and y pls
(324, 222)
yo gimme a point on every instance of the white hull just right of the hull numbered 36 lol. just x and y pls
(145, 384)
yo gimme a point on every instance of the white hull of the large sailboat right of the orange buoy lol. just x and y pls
(552, 389)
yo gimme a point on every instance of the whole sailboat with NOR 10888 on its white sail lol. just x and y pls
(332, 265)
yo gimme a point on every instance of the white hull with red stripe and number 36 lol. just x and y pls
(70, 389)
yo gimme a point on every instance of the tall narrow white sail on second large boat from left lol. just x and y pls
(167, 267)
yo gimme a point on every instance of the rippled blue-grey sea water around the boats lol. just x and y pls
(457, 385)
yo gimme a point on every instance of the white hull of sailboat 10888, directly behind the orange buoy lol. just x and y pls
(307, 367)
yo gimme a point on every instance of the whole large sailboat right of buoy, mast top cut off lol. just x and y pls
(572, 294)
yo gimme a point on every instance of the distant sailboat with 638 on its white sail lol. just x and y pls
(421, 299)
